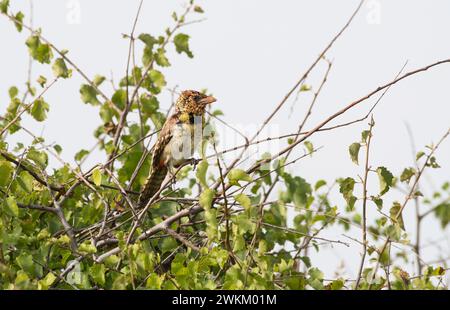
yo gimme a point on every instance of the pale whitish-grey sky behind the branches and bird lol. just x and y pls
(249, 54)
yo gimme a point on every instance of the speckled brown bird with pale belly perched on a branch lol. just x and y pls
(177, 140)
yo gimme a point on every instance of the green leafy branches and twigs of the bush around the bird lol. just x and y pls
(220, 227)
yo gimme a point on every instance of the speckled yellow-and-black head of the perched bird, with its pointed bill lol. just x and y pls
(193, 102)
